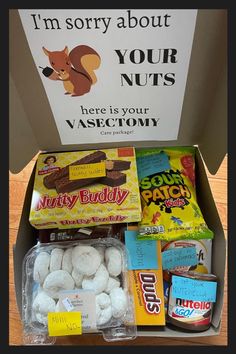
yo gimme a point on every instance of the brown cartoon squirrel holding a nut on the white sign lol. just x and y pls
(75, 69)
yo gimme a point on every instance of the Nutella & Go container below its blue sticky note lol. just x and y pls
(188, 314)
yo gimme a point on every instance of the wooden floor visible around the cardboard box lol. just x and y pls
(18, 184)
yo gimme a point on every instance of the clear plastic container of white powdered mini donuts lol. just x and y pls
(56, 274)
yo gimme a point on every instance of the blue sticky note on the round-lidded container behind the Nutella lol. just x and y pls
(179, 257)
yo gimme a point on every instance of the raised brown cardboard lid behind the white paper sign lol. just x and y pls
(203, 119)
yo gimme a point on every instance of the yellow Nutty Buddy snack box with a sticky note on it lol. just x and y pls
(85, 188)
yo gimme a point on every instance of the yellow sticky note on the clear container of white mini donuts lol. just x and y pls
(64, 323)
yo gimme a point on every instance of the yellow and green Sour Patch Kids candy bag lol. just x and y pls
(169, 205)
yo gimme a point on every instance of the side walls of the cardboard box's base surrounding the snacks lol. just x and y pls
(27, 238)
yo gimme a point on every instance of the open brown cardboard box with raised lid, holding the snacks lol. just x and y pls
(203, 123)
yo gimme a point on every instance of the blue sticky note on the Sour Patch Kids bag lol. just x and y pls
(147, 165)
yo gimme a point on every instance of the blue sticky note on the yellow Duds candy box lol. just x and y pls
(142, 254)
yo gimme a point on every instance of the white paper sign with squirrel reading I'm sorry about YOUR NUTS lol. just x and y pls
(112, 75)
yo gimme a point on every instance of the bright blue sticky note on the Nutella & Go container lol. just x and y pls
(193, 289)
